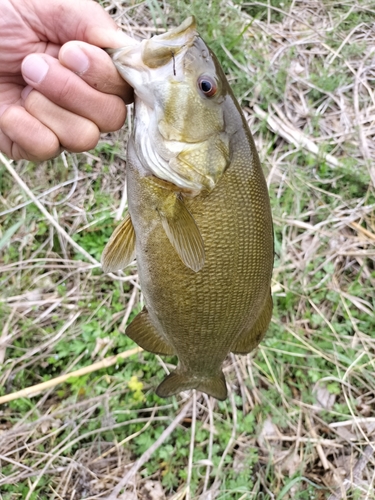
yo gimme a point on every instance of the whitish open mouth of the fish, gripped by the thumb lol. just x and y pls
(162, 52)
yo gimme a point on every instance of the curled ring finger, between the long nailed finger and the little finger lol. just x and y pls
(74, 132)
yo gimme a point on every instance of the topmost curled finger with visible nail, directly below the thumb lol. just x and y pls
(96, 68)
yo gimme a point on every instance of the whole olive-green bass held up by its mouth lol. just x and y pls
(199, 219)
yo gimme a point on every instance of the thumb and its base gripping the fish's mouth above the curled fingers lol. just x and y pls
(85, 20)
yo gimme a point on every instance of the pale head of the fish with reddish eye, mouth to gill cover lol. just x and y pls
(180, 96)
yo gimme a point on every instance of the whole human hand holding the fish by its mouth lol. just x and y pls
(56, 93)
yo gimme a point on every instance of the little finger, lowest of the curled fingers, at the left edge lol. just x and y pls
(25, 137)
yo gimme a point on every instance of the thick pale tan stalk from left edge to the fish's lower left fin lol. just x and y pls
(34, 389)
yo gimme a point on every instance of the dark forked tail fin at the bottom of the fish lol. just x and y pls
(181, 381)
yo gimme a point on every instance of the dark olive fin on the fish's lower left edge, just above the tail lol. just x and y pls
(143, 332)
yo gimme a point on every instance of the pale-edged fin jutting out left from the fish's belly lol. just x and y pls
(120, 249)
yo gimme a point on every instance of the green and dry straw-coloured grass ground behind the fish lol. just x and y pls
(299, 423)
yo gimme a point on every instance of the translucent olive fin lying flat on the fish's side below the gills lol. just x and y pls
(182, 232)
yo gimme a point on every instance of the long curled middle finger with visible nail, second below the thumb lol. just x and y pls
(67, 90)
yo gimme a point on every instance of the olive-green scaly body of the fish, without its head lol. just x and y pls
(208, 294)
